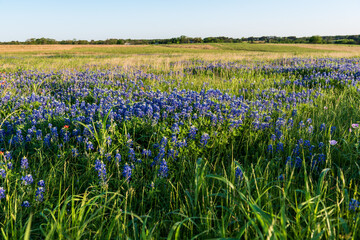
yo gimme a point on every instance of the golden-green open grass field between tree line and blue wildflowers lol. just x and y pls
(49, 57)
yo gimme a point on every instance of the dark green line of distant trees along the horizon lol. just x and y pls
(347, 39)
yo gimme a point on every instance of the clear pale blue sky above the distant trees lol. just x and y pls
(140, 19)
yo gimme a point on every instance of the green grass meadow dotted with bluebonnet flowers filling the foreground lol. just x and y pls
(199, 149)
